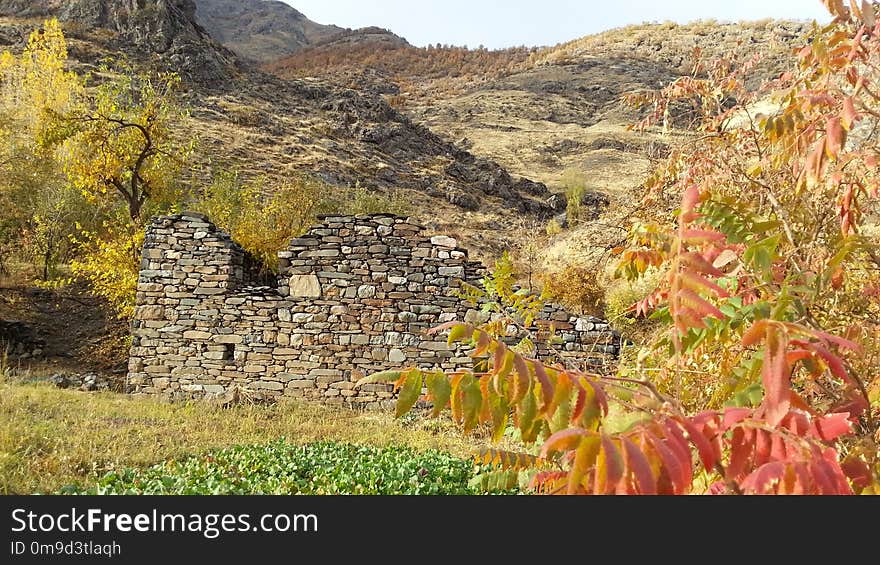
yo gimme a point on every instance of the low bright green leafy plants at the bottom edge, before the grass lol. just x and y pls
(280, 467)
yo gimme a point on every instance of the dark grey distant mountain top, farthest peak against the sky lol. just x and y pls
(267, 30)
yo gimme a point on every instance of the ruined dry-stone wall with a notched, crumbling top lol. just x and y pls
(353, 296)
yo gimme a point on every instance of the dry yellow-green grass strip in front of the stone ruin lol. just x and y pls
(51, 438)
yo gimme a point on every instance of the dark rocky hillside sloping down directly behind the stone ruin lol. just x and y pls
(264, 125)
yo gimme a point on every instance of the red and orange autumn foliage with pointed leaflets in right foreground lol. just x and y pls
(762, 377)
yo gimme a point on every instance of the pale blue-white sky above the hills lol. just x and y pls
(496, 23)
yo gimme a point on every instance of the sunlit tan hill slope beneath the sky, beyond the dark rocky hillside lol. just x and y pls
(542, 113)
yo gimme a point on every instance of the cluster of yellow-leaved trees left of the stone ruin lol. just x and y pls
(83, 162)
